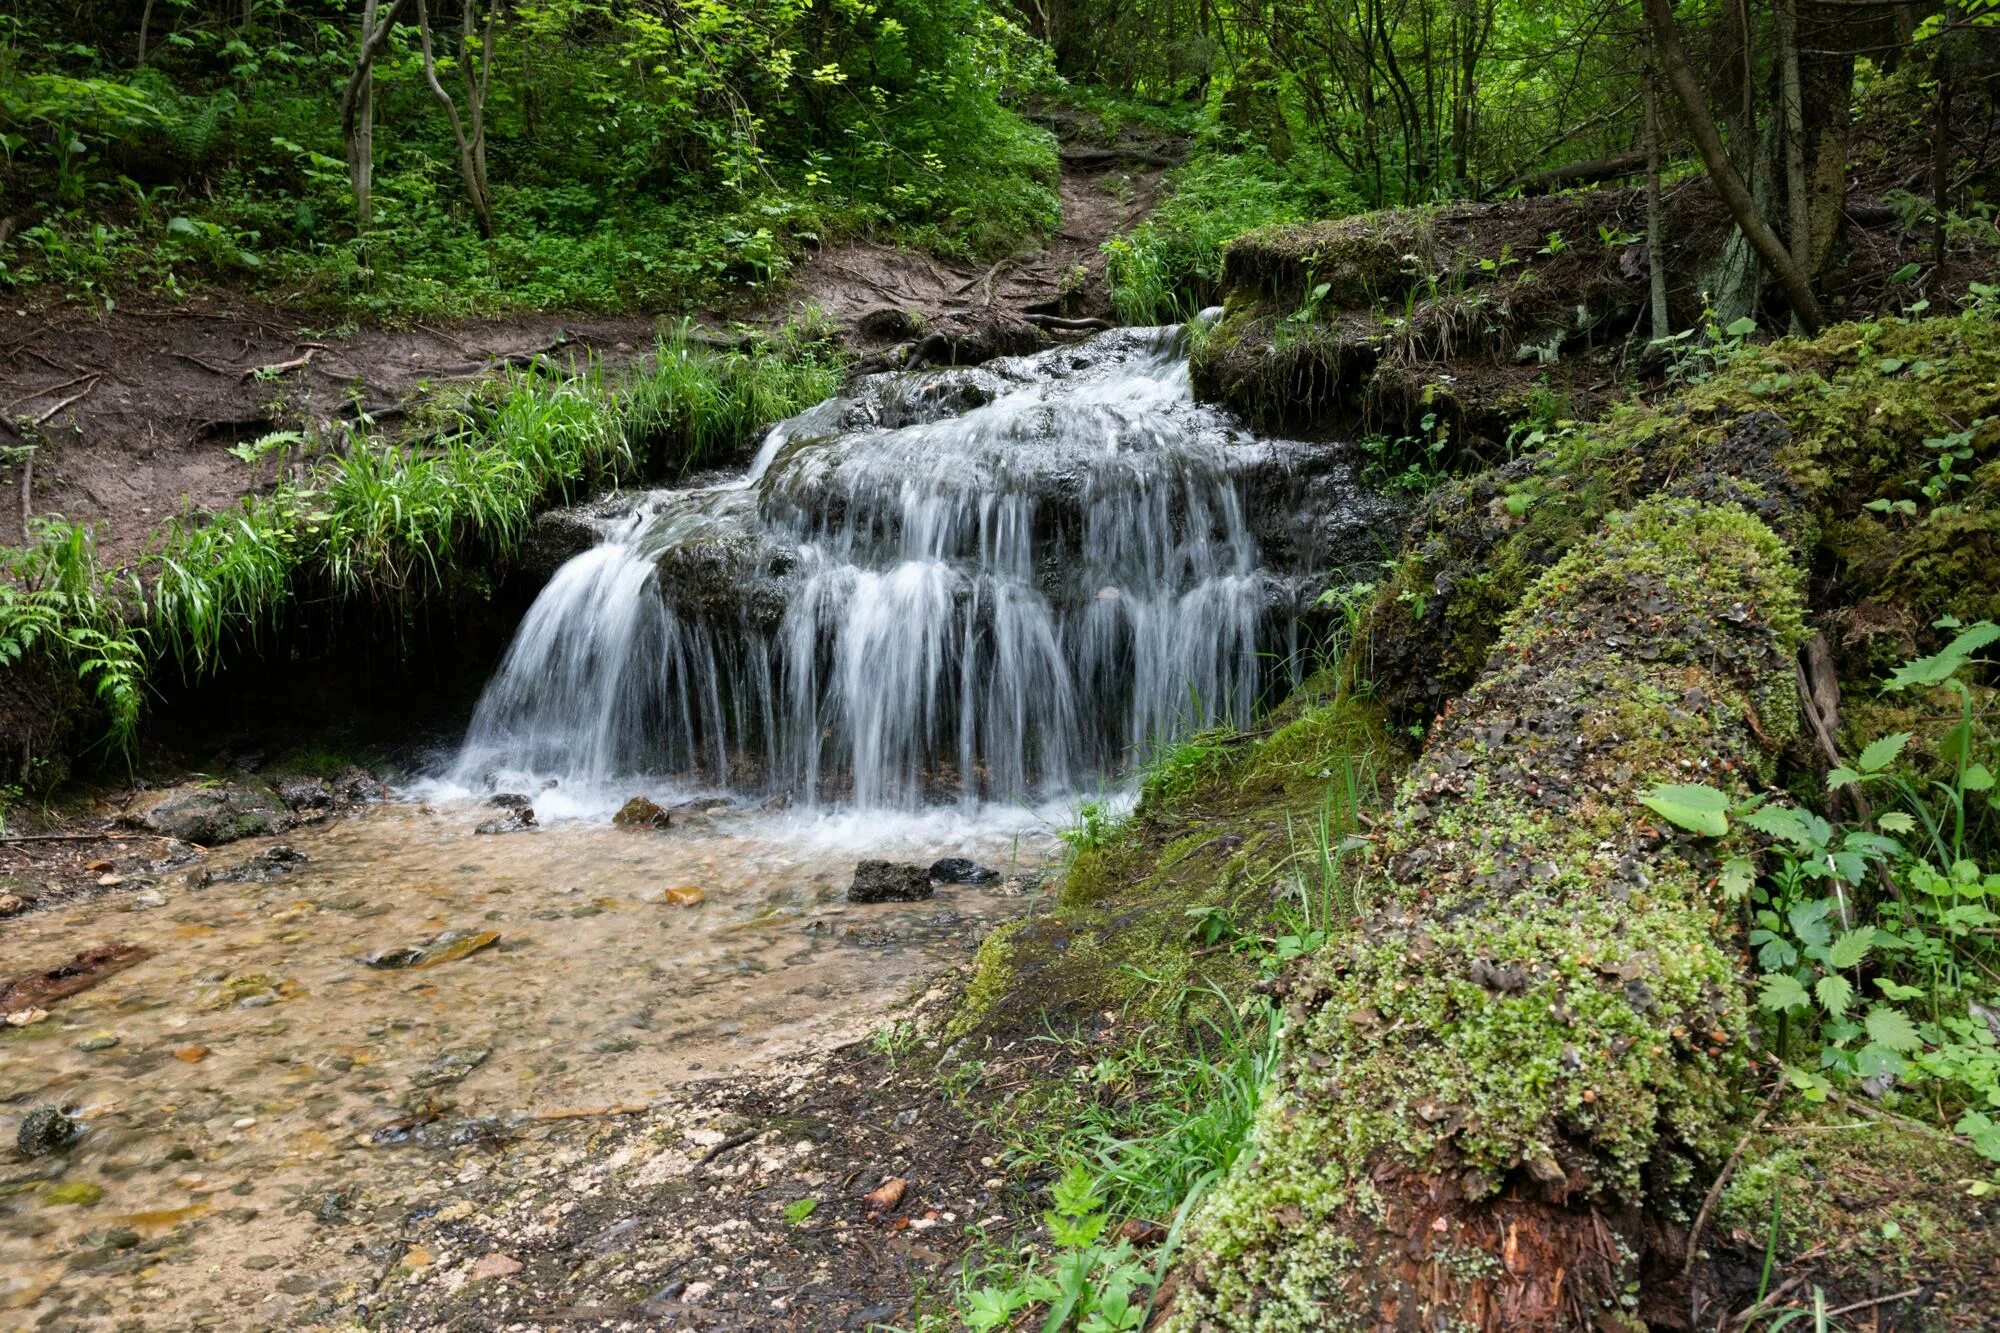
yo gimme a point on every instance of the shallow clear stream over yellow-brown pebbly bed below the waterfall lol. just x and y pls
(257, 1064)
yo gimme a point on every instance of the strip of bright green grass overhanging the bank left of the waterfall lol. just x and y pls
(367, 521)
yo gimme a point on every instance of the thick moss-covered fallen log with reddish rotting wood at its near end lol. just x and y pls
(1541, 1024)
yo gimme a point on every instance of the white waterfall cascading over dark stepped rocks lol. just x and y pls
(999, 583)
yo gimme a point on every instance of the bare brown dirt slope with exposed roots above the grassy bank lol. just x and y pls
(133, 413)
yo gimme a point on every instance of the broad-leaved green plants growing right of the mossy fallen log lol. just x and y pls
(1875, 946)
